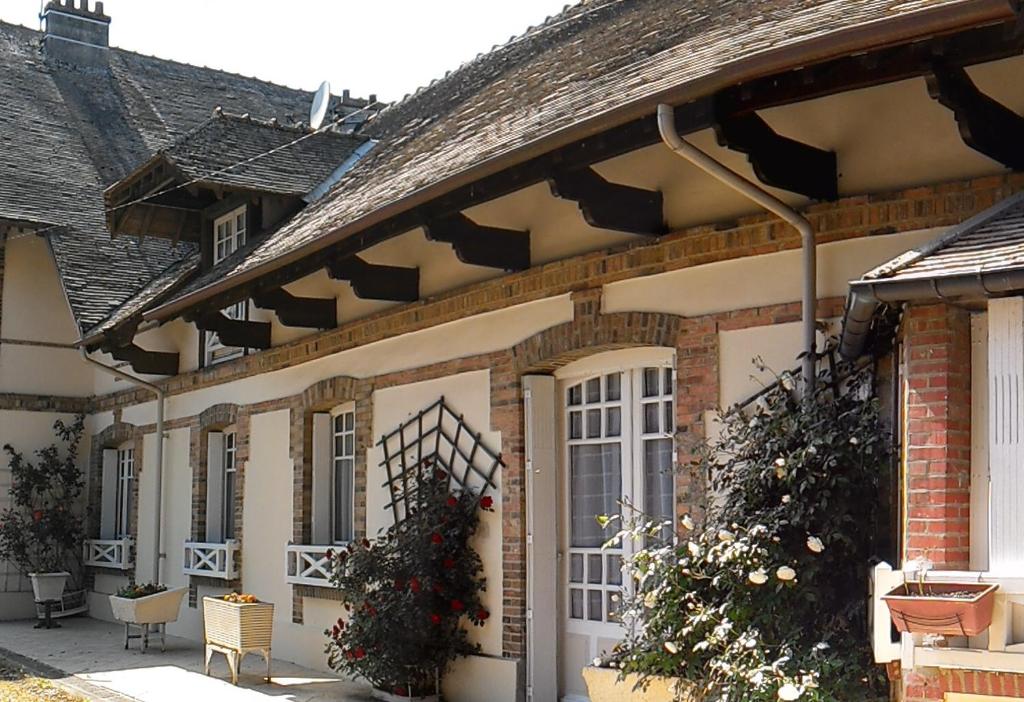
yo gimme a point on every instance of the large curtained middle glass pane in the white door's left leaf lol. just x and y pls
(596, 488)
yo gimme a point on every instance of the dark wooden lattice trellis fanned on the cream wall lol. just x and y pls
(436, 441)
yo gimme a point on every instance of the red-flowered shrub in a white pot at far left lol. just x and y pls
(42, 533)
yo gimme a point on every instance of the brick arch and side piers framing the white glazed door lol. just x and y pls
(696, 342)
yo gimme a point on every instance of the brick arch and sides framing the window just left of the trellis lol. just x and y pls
(321, 398)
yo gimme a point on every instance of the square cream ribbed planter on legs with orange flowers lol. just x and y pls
(236, 630)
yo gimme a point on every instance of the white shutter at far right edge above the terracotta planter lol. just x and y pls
(1006, 432)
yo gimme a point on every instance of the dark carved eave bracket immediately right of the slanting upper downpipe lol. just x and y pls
(780, 161)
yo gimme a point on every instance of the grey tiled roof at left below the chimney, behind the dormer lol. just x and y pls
(66, 134)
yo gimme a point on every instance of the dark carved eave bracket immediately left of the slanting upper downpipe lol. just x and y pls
(611, 206)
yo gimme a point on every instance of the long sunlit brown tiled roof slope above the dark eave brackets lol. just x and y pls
(598, 58)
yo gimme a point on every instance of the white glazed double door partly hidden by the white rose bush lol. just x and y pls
(617, 429)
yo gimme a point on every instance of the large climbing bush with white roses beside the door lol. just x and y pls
(766, 599)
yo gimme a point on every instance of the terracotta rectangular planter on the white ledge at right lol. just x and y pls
(937, 612)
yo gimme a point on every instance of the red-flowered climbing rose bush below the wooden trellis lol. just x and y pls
(411, 594)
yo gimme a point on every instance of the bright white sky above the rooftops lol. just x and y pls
(388, 48)
